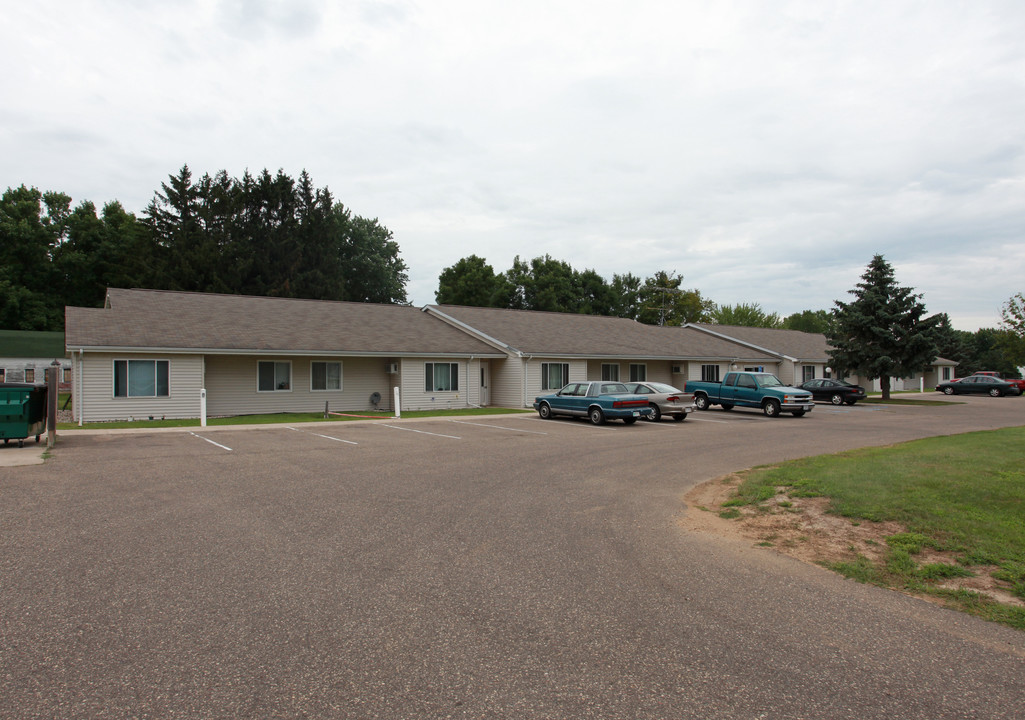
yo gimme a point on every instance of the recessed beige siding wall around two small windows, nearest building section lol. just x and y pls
(232, 386)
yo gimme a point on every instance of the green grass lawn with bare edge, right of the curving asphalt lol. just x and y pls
(963, 496)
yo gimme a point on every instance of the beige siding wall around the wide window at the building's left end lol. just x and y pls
(97, 402)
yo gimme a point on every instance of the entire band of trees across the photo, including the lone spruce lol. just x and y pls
(277, 236)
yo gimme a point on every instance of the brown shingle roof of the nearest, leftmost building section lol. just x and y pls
(201, 322)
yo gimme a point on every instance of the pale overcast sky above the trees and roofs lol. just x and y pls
(765, 150)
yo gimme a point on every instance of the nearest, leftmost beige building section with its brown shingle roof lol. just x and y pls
(149, 354)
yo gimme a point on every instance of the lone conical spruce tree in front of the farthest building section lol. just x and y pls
(884, 333)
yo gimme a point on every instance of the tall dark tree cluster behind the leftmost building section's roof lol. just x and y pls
(259, 235)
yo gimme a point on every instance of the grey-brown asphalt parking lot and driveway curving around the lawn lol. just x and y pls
(480, 568)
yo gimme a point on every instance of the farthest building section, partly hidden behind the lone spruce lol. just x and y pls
(805, 356)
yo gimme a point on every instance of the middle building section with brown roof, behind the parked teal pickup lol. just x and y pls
(545, 351)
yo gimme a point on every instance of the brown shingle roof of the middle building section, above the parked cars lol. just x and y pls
(569, 335)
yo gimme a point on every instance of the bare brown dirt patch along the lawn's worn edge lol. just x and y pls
(803, 529)
